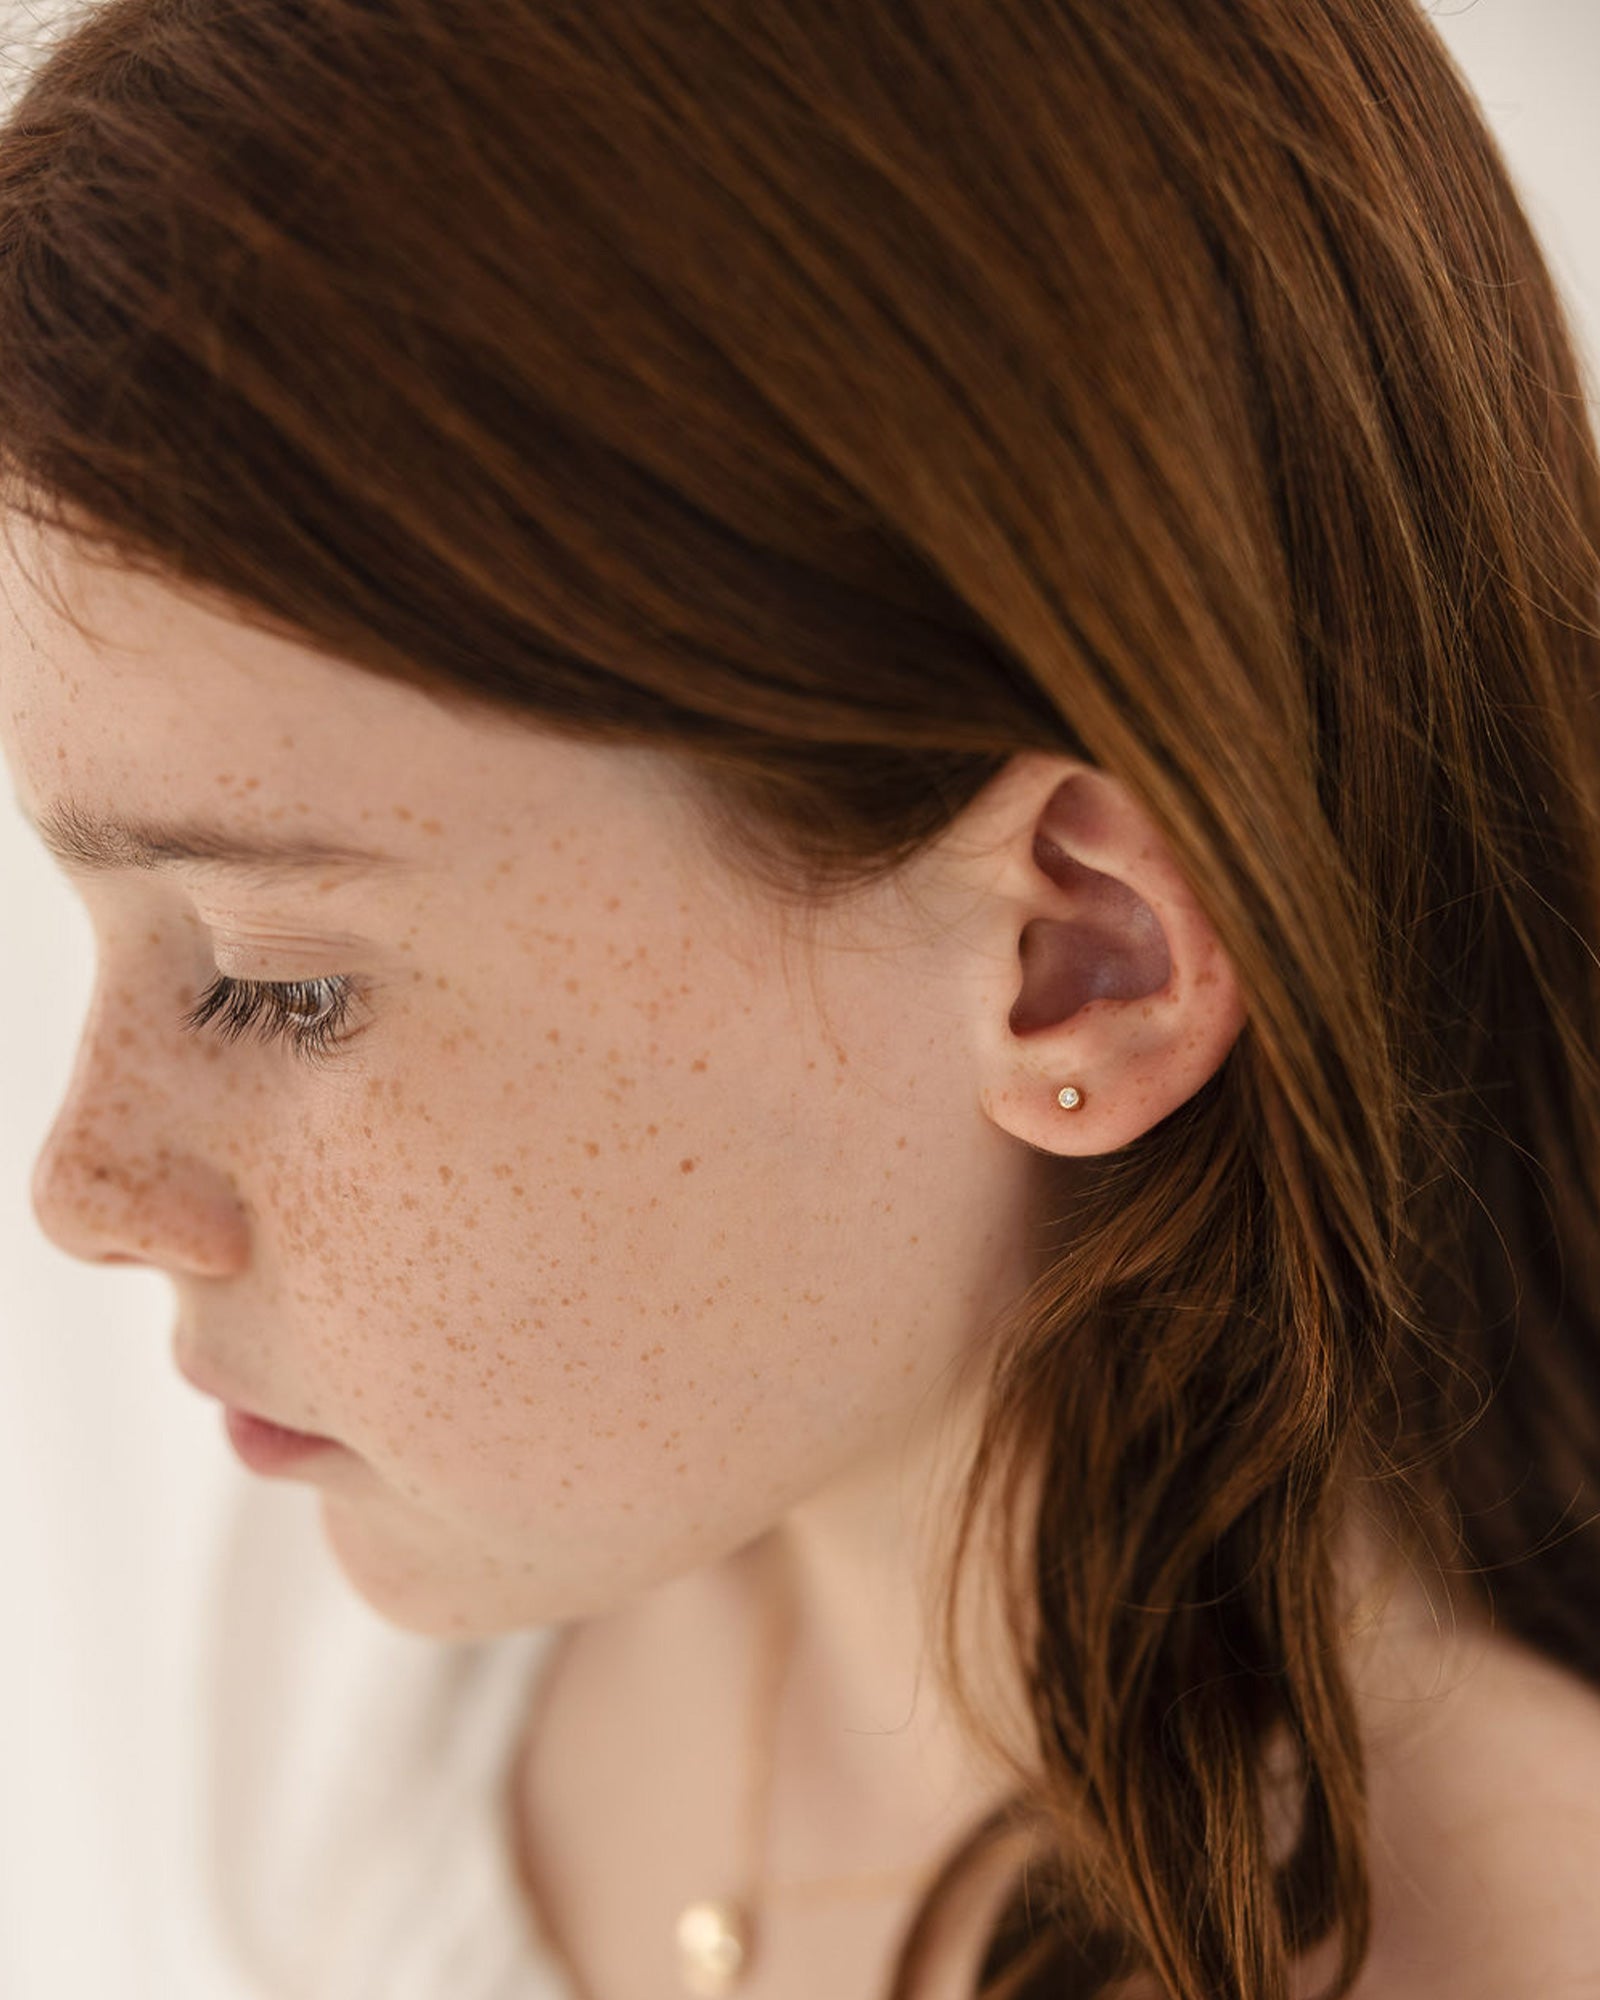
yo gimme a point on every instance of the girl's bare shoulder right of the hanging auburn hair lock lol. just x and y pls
(1485, 1833)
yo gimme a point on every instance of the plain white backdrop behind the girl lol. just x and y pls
(115, 1473)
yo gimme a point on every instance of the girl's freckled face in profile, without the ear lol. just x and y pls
(613, 1229)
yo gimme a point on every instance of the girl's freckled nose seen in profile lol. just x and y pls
(115, 1183)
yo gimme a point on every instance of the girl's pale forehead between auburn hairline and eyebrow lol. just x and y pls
(141, 703)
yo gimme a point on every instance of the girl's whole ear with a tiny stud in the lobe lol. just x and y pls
(1099, 967)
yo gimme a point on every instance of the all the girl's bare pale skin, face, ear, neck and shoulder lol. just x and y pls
(639, 1245)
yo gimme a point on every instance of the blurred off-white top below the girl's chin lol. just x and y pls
(355, 1783)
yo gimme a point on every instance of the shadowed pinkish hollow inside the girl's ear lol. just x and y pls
(1109, 949)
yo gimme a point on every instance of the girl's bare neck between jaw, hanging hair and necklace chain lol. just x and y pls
(869, 1769)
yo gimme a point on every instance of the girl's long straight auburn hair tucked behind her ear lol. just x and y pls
(851, 397)
